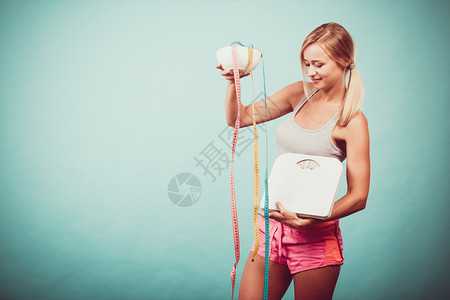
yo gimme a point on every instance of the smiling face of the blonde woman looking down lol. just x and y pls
(323, 70)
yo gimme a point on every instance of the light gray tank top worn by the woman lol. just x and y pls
(291, 138)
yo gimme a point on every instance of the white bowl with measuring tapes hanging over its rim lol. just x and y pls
(225, 57)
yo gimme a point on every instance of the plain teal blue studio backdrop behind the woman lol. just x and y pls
(103, 102)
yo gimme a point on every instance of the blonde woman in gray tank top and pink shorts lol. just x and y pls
(328, 123)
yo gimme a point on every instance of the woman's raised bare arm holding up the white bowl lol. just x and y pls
(279, 104)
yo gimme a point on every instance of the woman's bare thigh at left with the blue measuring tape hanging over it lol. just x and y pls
(252, 282)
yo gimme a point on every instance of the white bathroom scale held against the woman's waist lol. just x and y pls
(304, 184)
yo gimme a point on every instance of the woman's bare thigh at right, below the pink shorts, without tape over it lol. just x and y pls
(316, 284)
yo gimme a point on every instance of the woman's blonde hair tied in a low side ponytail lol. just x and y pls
(338, 45)
